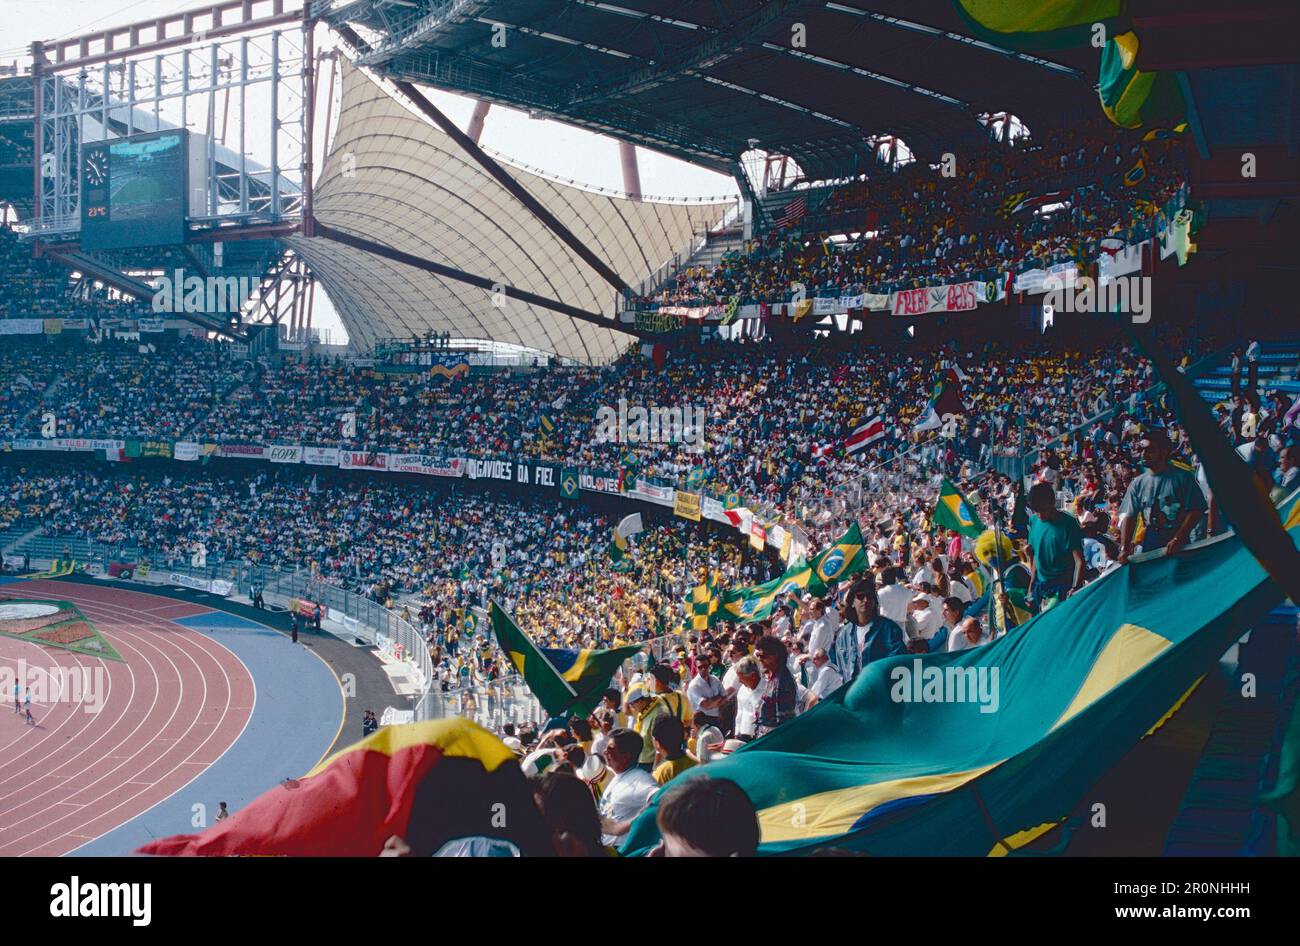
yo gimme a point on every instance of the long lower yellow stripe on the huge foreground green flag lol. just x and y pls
(837, 812)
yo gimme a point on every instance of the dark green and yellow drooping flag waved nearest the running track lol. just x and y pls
(565, 682)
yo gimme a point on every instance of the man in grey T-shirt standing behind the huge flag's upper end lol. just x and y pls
(1167, 498)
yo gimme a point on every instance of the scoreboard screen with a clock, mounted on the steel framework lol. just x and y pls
(135, 192)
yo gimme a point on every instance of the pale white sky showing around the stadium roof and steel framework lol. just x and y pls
(553, 147)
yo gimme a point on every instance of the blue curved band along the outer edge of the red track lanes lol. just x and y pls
(294, 722)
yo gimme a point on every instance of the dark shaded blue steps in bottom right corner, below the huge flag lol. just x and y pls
(1221, 813)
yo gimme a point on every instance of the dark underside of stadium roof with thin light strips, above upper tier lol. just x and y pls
(701, 80)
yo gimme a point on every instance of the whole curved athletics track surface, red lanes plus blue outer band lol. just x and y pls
(207, 708)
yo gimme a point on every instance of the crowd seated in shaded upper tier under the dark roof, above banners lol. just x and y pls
(920, 227)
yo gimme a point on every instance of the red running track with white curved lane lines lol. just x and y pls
(176, 705)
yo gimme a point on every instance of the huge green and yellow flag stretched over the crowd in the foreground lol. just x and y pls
(981, 752)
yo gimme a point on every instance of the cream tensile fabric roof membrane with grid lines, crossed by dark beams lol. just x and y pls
(397, 190)
